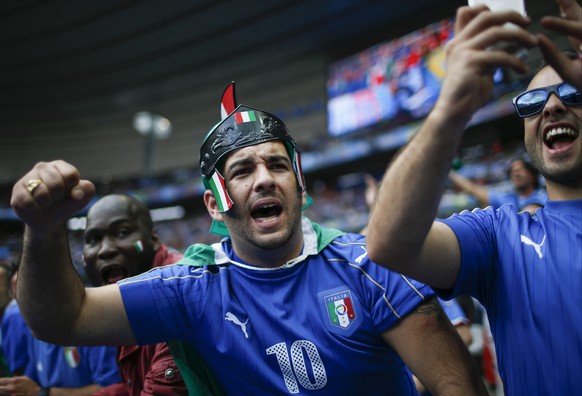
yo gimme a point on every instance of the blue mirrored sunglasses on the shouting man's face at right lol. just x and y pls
(532, 102)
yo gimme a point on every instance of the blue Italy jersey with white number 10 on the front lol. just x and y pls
(312, 326)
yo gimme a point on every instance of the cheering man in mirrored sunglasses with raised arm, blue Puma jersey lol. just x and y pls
(526, 270)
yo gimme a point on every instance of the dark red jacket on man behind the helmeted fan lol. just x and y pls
(148, 369)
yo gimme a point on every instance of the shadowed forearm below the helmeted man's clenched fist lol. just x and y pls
(50, 291)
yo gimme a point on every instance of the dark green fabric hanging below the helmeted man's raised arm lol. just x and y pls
(199, 379)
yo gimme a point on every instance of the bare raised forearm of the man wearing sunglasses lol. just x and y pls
(410, 193)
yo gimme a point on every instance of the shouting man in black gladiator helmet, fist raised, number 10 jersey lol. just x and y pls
(279, 306)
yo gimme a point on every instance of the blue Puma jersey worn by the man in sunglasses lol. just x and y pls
(527, 272)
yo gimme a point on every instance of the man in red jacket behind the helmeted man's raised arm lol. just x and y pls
(119, 242)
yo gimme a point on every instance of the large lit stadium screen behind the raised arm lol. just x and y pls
(391, 83)
